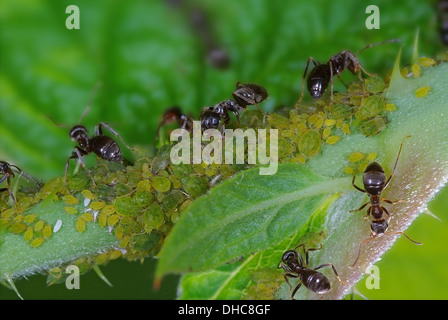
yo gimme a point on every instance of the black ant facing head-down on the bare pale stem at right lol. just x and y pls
(374, 180)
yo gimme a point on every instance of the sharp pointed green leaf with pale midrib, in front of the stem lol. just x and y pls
(245, 214)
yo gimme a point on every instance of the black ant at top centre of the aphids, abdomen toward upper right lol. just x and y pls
(244, 95)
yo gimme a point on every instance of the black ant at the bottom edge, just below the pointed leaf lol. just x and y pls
(295, 267)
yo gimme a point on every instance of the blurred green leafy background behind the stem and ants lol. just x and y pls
(149, 55)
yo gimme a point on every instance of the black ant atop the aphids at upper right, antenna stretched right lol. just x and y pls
(323, 74)
